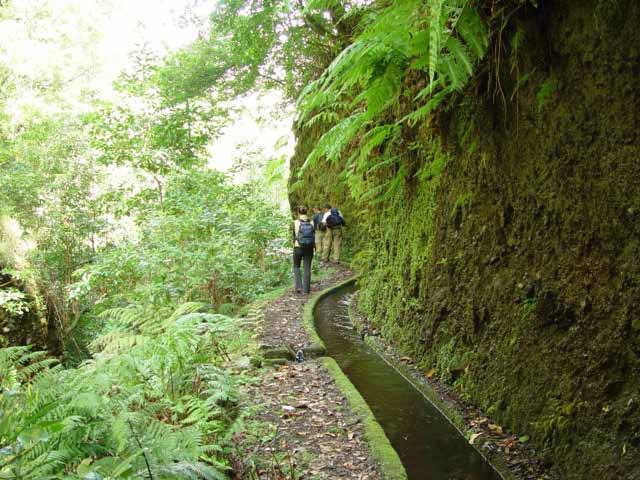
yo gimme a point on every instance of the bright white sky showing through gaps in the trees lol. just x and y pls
(69, 52)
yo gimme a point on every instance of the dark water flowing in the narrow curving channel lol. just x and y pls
(429, 446)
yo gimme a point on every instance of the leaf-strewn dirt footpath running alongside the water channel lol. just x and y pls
(302, 421)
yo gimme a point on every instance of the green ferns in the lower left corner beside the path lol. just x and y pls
(152, 399)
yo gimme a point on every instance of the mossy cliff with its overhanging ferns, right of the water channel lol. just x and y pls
(488, 251)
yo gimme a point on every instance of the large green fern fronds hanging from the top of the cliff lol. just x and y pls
(366, 83)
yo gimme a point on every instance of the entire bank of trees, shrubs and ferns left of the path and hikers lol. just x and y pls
(124, 255)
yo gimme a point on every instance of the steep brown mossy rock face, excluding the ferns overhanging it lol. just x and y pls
(521, 260)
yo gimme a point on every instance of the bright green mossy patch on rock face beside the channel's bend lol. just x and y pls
(393, 270)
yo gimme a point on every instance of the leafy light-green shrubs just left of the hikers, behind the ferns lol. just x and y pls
(212, 241)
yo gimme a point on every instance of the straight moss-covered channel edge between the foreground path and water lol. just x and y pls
(383, 452)
